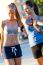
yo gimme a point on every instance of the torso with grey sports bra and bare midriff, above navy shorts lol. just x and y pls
(10, 32)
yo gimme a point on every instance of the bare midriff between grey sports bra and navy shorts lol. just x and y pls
(10, 40)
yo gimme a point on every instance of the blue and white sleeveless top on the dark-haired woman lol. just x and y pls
(34, 36)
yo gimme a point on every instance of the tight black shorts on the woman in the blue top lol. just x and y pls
(36, 50)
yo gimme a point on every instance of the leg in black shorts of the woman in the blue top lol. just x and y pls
(37, 53)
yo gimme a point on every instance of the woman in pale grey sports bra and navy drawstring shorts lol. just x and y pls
(9, 40)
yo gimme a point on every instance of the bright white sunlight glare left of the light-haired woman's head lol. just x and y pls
(3, 9)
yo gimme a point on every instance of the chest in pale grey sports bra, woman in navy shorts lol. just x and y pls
(11, 29)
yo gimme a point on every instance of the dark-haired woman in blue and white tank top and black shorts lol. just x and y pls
(35, 34)
